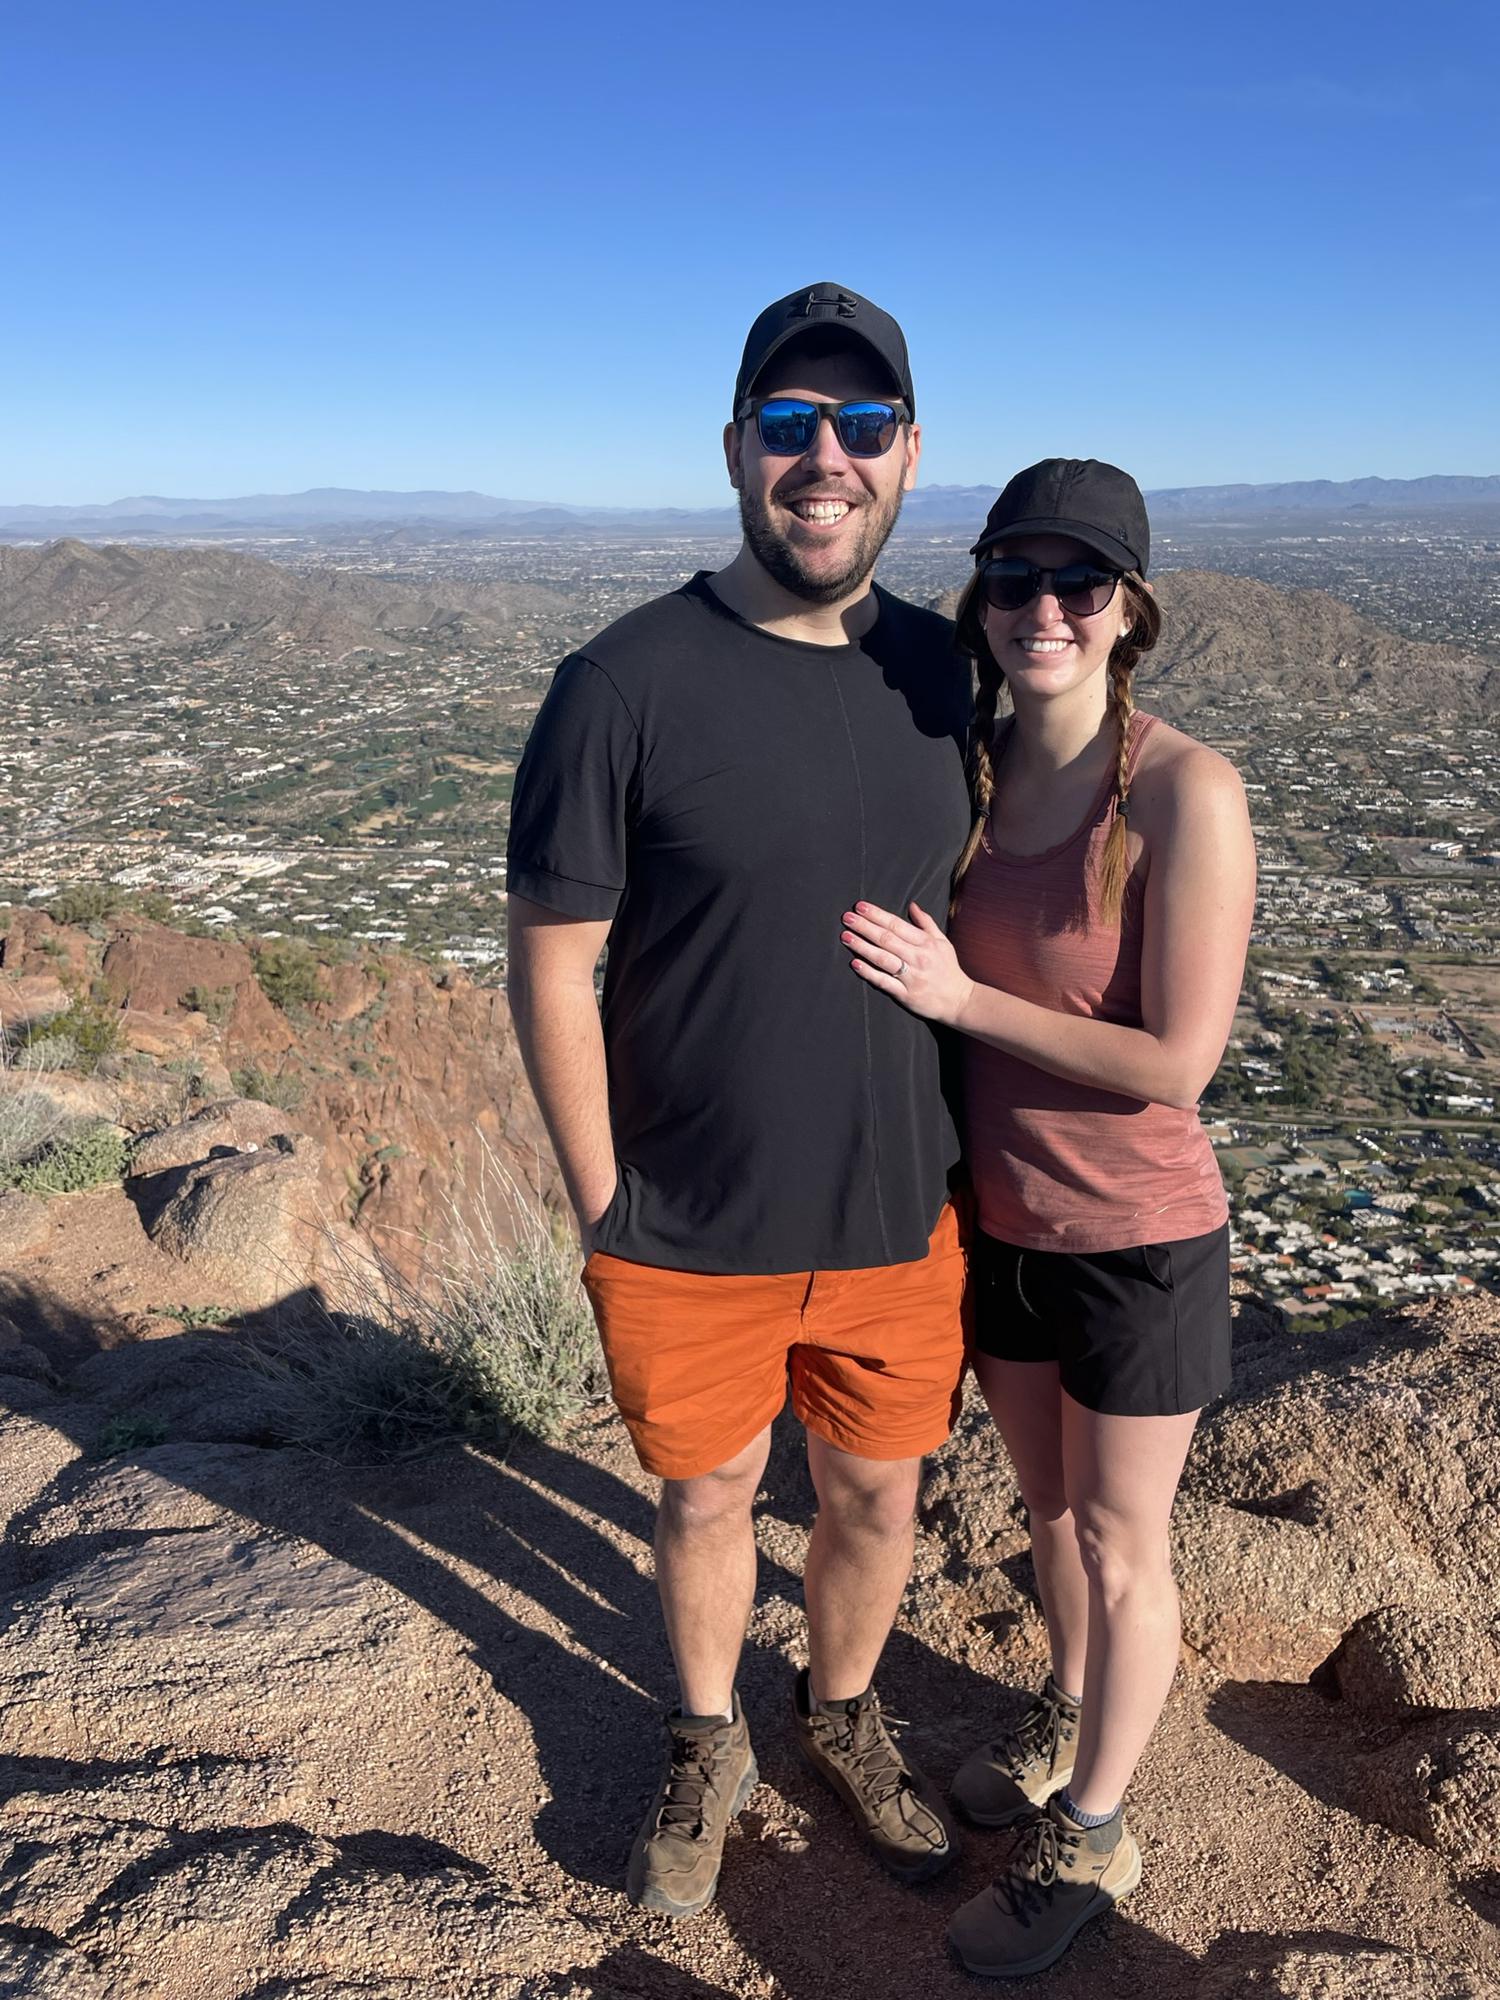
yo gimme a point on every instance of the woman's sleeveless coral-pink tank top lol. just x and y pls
(1057, 1165)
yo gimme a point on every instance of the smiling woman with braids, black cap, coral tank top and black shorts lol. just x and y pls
(1101, 923)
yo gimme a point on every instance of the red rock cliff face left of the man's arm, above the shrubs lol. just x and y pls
(407, 1077)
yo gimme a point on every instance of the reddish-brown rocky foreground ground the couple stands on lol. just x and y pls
(285, 1727)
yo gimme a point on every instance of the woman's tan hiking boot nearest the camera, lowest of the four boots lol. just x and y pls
(1057, 1875)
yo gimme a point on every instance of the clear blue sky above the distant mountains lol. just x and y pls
(259, 247)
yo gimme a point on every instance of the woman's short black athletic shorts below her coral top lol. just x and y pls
(1135, 1333)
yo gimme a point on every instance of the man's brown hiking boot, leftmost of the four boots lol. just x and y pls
(711, 1771)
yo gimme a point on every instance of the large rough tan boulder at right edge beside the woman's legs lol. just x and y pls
(1353, 1471)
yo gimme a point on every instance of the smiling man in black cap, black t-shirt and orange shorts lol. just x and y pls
(757, 1149)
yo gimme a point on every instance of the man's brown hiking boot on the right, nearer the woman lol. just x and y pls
(895, 1807)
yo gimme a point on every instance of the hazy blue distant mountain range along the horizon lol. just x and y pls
(469, 513)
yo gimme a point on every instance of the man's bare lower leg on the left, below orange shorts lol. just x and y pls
(707, 1575)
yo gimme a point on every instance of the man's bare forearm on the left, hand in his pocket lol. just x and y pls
(551, 987)
